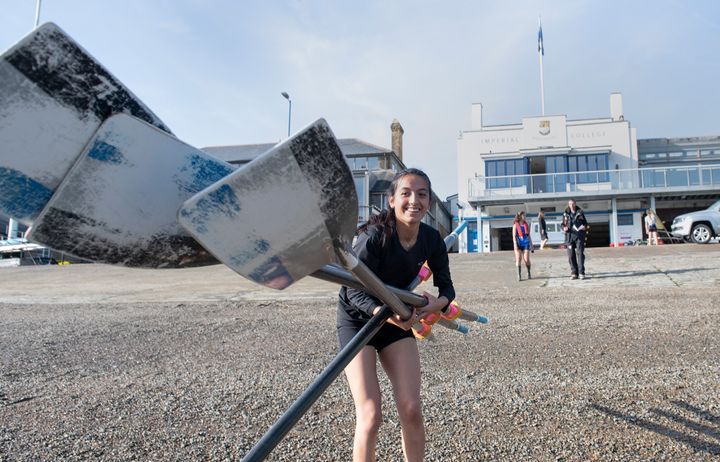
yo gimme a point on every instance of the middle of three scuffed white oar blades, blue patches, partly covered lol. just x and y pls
(118, 204)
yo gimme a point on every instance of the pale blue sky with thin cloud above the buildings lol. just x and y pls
(214, 70)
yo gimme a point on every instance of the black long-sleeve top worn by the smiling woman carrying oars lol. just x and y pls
(395, 266)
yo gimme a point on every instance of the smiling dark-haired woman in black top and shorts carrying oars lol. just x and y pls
(393, 244)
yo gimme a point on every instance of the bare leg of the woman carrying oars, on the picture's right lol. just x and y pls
(401, 362)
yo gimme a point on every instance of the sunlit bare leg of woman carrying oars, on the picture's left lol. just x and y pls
(361, 375)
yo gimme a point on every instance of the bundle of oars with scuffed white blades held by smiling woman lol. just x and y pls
(97, 175)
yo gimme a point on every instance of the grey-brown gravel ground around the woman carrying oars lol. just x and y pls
(603, 373)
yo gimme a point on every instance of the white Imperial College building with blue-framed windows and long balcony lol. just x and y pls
(542, 162)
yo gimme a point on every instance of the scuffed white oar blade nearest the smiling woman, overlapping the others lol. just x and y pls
(276, 219)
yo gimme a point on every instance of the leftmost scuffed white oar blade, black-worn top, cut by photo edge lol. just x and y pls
(53, 96)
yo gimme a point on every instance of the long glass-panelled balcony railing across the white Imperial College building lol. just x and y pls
(695, 176)
